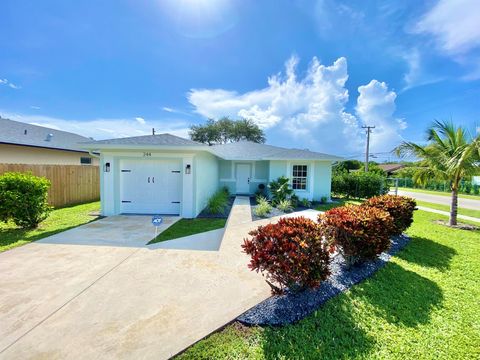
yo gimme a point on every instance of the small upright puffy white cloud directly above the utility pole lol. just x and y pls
(376, 107)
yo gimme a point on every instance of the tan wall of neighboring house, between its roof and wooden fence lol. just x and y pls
(16, 154)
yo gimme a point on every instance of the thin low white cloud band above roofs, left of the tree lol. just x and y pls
(103, 128)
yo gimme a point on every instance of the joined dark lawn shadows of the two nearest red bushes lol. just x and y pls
(398, 295)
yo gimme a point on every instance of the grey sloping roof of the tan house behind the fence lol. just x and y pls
(19, 133)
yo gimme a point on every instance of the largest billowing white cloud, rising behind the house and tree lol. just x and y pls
(301, 112)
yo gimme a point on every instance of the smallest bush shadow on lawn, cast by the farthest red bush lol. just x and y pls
(428, 253)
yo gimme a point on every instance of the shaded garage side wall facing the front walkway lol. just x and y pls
(206, 170)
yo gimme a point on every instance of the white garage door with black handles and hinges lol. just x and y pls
(150, 186)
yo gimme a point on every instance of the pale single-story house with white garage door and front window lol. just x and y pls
(166, 174)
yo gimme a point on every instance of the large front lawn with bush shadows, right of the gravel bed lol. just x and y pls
(421, 305)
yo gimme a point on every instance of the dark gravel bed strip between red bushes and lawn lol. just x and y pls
(289, 308)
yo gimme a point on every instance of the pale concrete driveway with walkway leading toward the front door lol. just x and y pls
(115, 298)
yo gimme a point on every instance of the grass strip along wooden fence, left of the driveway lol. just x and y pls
(59, 220)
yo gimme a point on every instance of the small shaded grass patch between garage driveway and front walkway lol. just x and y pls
(186, 227)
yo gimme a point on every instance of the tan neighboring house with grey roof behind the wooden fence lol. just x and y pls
(22, 143)
